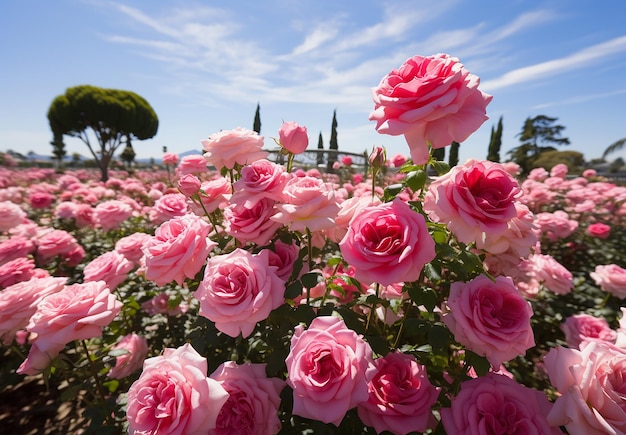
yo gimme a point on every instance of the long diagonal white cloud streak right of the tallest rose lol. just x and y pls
(557, 66)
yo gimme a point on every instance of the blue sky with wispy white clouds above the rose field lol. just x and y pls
(204, 65)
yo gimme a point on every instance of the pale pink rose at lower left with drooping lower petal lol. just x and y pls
(77, 312)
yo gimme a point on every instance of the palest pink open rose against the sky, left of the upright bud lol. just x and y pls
(228, 148)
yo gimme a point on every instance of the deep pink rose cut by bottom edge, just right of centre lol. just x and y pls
(400, 396)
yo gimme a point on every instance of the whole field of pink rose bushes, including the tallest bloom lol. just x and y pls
(230, 294)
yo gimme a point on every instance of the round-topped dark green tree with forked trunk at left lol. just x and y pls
(111, 114)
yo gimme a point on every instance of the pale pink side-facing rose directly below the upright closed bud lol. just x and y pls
(309, 203)
